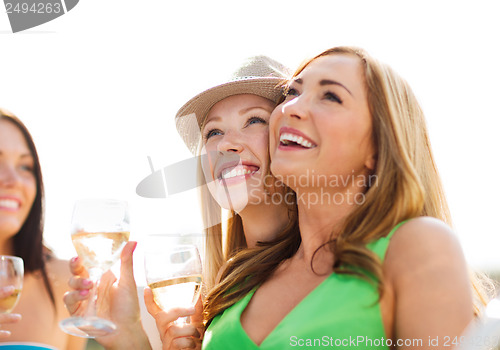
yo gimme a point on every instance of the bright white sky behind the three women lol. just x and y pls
(99, 88)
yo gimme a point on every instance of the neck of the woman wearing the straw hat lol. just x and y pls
(263, 222)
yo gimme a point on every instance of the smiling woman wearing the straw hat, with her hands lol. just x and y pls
(227, 126)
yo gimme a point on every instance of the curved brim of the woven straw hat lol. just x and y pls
(190, 117)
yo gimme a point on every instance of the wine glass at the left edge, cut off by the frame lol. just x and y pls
(11, 281)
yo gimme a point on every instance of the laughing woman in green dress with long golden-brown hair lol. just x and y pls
(376, 265)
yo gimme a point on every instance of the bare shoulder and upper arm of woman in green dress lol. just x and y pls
(426, 273)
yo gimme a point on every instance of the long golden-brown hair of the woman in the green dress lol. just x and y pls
(408, 186)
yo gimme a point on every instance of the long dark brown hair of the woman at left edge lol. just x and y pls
(28, 242)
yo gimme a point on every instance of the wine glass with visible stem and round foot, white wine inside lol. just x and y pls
(99, 231)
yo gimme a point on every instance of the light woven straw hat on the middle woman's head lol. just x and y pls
(258, 75)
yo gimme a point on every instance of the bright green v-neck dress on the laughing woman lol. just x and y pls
(341, 312)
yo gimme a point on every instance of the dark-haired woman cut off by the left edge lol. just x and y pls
(21, 234)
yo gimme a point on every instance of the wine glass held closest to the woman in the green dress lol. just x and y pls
(173, 272)
